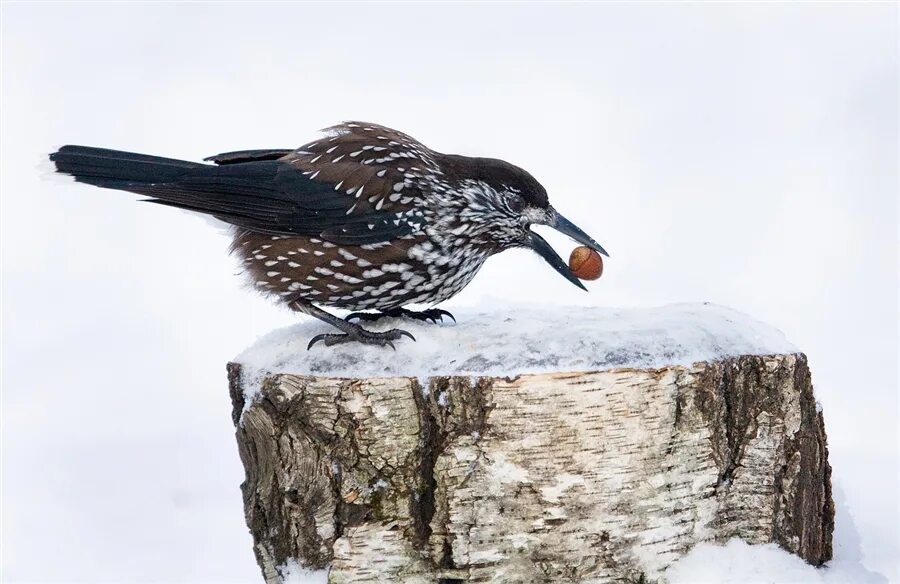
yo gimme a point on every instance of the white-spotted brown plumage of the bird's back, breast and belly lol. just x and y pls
(452, 224)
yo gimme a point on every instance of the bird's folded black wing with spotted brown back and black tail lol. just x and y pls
(355, 186)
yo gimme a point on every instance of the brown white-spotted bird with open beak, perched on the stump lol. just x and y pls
(364, 218)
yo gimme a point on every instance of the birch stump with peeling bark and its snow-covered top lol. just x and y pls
(557, 445)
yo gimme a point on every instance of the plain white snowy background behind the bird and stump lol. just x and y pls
(743, 154)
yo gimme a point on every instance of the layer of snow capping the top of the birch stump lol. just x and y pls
(507, 340)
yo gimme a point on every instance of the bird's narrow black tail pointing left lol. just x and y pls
(114, 169)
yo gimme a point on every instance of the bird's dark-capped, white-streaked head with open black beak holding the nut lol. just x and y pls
(501, 202)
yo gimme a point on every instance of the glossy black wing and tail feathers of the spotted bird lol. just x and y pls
(248, 189)
